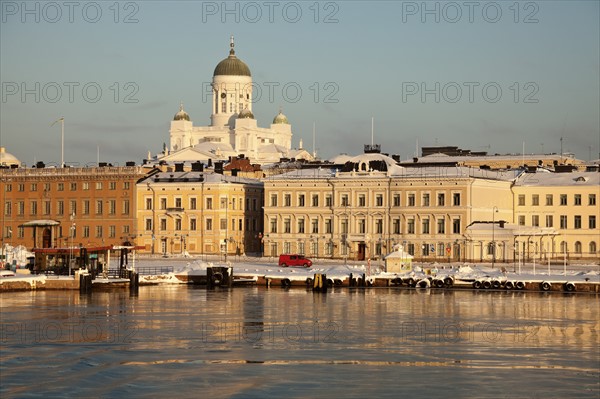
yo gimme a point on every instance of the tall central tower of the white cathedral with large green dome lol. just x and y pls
(232, 90)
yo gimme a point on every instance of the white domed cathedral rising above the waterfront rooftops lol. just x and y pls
(233, 129)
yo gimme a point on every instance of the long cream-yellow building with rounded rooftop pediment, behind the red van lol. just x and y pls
(362, 210)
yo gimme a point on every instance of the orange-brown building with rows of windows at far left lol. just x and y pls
(65, 207)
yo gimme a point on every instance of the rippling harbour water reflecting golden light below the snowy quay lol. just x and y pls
(269, 343)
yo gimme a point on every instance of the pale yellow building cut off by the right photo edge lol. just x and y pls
(561, 211)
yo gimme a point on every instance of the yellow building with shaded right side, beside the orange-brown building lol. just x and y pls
(199, 212)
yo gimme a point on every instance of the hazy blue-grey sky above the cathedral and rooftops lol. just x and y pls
(352, 60)
